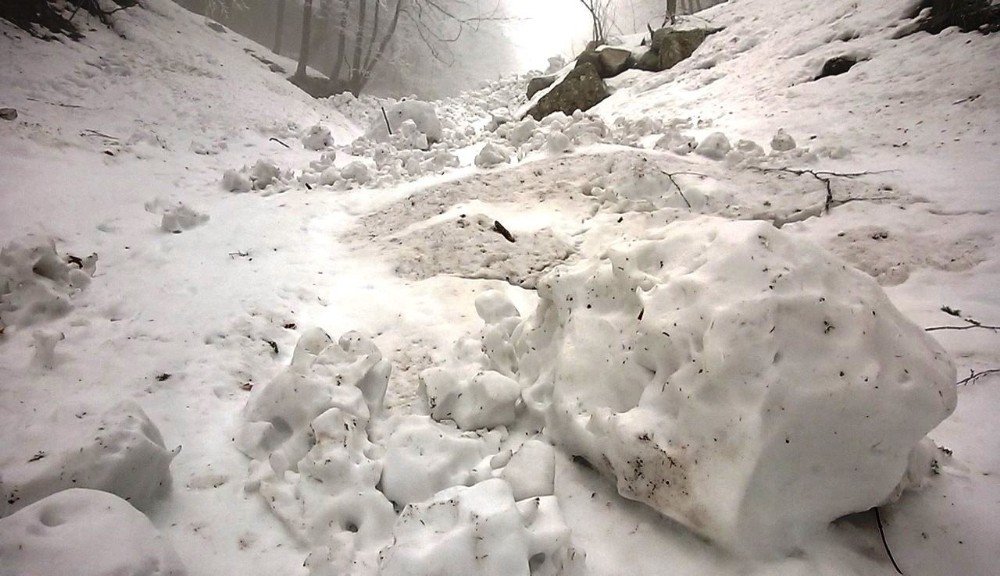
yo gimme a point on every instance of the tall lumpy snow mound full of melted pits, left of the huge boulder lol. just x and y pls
(312, 462)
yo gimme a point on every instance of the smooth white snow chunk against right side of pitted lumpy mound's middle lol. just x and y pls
(423, 457)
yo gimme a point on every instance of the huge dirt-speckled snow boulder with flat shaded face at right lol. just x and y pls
(738, 380)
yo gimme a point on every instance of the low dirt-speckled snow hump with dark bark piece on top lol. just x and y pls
(473, 246)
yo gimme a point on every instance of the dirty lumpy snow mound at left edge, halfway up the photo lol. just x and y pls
(37, 283)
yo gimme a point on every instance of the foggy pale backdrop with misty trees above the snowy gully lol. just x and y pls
(433, 54)
